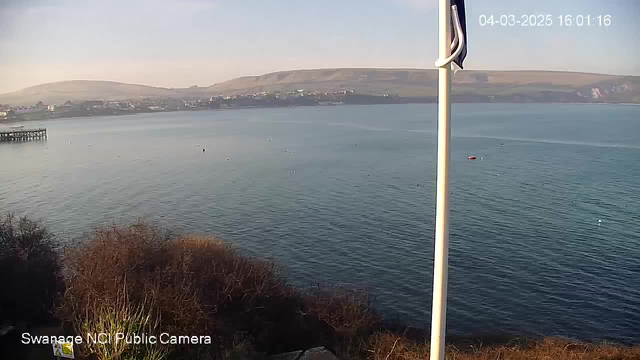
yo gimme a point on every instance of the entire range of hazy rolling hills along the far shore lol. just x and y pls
(515, 86)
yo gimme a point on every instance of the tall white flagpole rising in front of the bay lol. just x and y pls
(441, 256)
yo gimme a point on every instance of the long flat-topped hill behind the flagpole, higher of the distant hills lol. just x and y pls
(424, 83)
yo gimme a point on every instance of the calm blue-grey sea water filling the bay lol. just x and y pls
(346, 195)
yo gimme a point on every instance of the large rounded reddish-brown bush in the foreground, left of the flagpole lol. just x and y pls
(201, 286)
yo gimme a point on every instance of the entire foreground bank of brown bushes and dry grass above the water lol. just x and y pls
(142, 279)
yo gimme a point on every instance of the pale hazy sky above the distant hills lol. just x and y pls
(178, 43)
